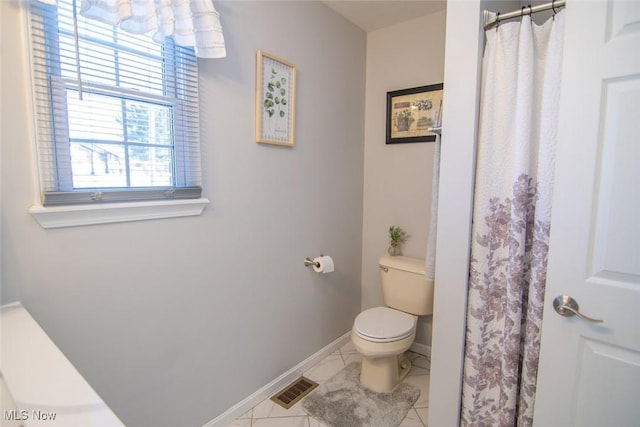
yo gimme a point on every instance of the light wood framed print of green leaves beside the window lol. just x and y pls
(275, 100)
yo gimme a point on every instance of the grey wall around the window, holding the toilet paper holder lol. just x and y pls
(173, 321)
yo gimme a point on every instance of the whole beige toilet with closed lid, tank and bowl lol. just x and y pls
(382, 334)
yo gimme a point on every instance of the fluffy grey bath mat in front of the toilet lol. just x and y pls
(343, 402)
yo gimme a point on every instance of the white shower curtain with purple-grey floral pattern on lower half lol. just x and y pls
(511, 221)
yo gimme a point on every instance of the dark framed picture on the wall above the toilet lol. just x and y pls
(412, 112)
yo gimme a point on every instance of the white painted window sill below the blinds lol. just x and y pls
(73, 216)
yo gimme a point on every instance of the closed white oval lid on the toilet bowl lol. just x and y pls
(384, 324)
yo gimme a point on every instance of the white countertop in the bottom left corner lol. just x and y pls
(46, 388)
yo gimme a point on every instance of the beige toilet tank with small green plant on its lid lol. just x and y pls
(404, 286)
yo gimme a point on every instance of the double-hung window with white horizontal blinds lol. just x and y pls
(116, 113)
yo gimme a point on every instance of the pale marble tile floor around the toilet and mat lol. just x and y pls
(269, 414)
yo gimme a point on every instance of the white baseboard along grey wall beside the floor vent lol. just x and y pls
(265, 392)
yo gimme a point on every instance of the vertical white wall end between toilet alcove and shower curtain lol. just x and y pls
(463, 59)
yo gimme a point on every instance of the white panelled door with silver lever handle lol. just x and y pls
(589, 373)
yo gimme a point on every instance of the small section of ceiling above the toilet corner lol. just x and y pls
(371, 15)
